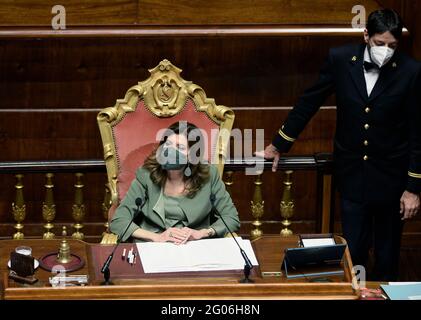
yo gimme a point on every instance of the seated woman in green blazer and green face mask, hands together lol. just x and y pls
(176, 186)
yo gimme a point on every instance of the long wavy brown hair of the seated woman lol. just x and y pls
(199, 170)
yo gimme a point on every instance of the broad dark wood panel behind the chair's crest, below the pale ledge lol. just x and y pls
(83, 73)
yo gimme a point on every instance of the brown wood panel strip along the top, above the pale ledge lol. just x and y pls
(182, 12)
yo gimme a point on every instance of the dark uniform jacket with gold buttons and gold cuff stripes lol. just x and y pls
(377, 146)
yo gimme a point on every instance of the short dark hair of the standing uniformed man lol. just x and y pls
(381, 21)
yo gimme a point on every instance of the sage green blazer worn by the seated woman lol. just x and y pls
(197, 209)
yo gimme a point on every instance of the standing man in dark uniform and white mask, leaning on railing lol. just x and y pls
(377, 146)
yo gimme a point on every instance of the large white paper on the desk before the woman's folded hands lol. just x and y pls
(200, 255)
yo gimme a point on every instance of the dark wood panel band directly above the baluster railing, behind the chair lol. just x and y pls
(63, 134)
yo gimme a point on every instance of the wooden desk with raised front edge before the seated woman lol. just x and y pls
(204, 285)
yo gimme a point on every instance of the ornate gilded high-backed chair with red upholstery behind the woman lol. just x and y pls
(129, 129)
